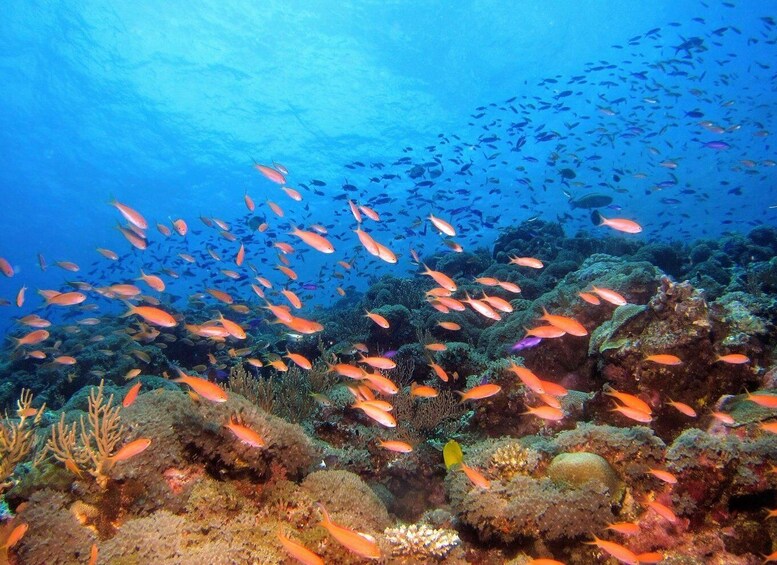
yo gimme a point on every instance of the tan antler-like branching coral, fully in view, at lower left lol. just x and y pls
(87, 445)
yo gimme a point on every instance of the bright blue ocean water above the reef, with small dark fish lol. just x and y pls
(485, 114)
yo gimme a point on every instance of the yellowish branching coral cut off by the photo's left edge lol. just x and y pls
(17, 436)
